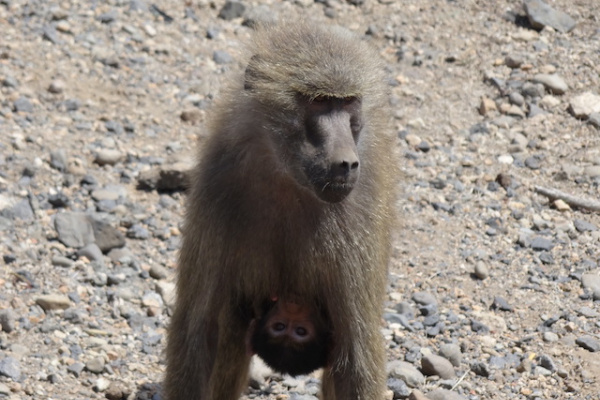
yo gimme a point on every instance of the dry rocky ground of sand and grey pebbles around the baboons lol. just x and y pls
(494, 285)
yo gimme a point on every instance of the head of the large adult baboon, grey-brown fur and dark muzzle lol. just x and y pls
(310, 103)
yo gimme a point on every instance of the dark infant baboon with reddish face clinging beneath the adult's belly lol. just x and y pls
(291, 338)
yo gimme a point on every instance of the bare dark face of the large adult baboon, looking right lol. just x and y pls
(323, 156)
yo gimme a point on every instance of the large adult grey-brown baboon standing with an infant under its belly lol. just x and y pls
(292, 197)
